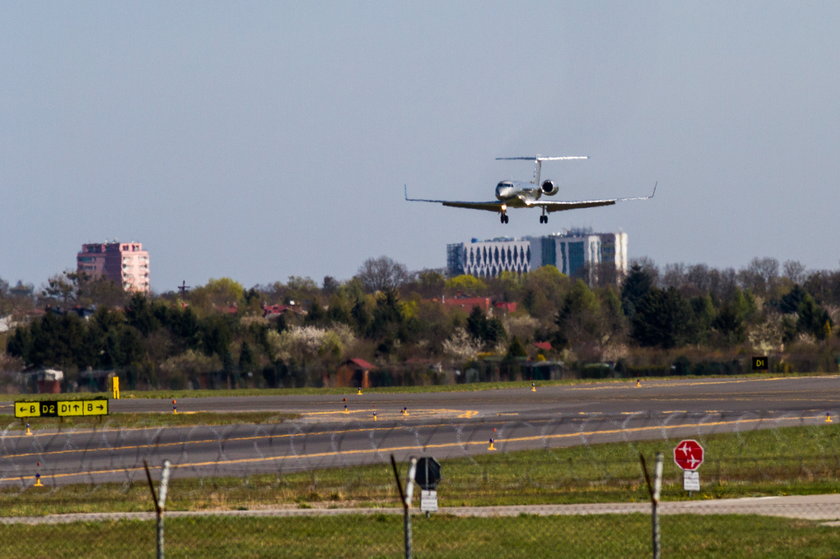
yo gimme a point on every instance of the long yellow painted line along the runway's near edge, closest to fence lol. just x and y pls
(409, 447)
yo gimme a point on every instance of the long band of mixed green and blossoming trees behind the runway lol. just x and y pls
(680, 318)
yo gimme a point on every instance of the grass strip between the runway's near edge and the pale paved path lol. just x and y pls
(795, 460)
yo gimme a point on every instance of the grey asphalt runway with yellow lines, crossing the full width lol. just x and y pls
(450, 424)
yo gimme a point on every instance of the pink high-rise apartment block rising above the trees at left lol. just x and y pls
(127, 264)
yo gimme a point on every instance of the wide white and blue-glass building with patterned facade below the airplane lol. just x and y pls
(576, 253)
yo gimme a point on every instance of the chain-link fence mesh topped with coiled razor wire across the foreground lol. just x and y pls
(769, 488)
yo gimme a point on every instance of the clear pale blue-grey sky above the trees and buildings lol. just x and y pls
(261, 140)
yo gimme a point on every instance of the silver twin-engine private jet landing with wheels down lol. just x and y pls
(521, 194)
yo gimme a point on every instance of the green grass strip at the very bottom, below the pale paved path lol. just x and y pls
(441, 536)
